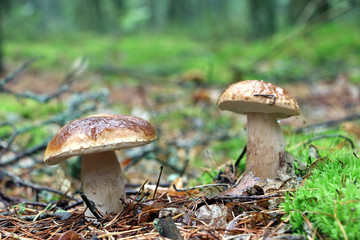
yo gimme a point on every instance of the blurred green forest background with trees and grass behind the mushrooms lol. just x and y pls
(227, 40)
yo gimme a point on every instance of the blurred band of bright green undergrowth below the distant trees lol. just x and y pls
(332, 49)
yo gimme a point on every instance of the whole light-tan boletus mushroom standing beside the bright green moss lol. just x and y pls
(263, 103)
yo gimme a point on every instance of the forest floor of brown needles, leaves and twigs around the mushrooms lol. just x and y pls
(191, 130)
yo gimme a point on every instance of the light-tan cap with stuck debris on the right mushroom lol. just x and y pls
(258, 96)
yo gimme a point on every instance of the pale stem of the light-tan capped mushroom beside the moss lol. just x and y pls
(265, 145)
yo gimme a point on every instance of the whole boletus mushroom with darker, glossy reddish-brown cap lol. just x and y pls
(96, 138)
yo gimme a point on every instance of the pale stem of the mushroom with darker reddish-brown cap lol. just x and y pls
(102, 182)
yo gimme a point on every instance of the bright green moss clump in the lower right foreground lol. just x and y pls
(328, 197)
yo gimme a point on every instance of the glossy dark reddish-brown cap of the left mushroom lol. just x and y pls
(98, 133)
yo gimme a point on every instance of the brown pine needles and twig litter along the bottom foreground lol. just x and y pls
(247, 215)
